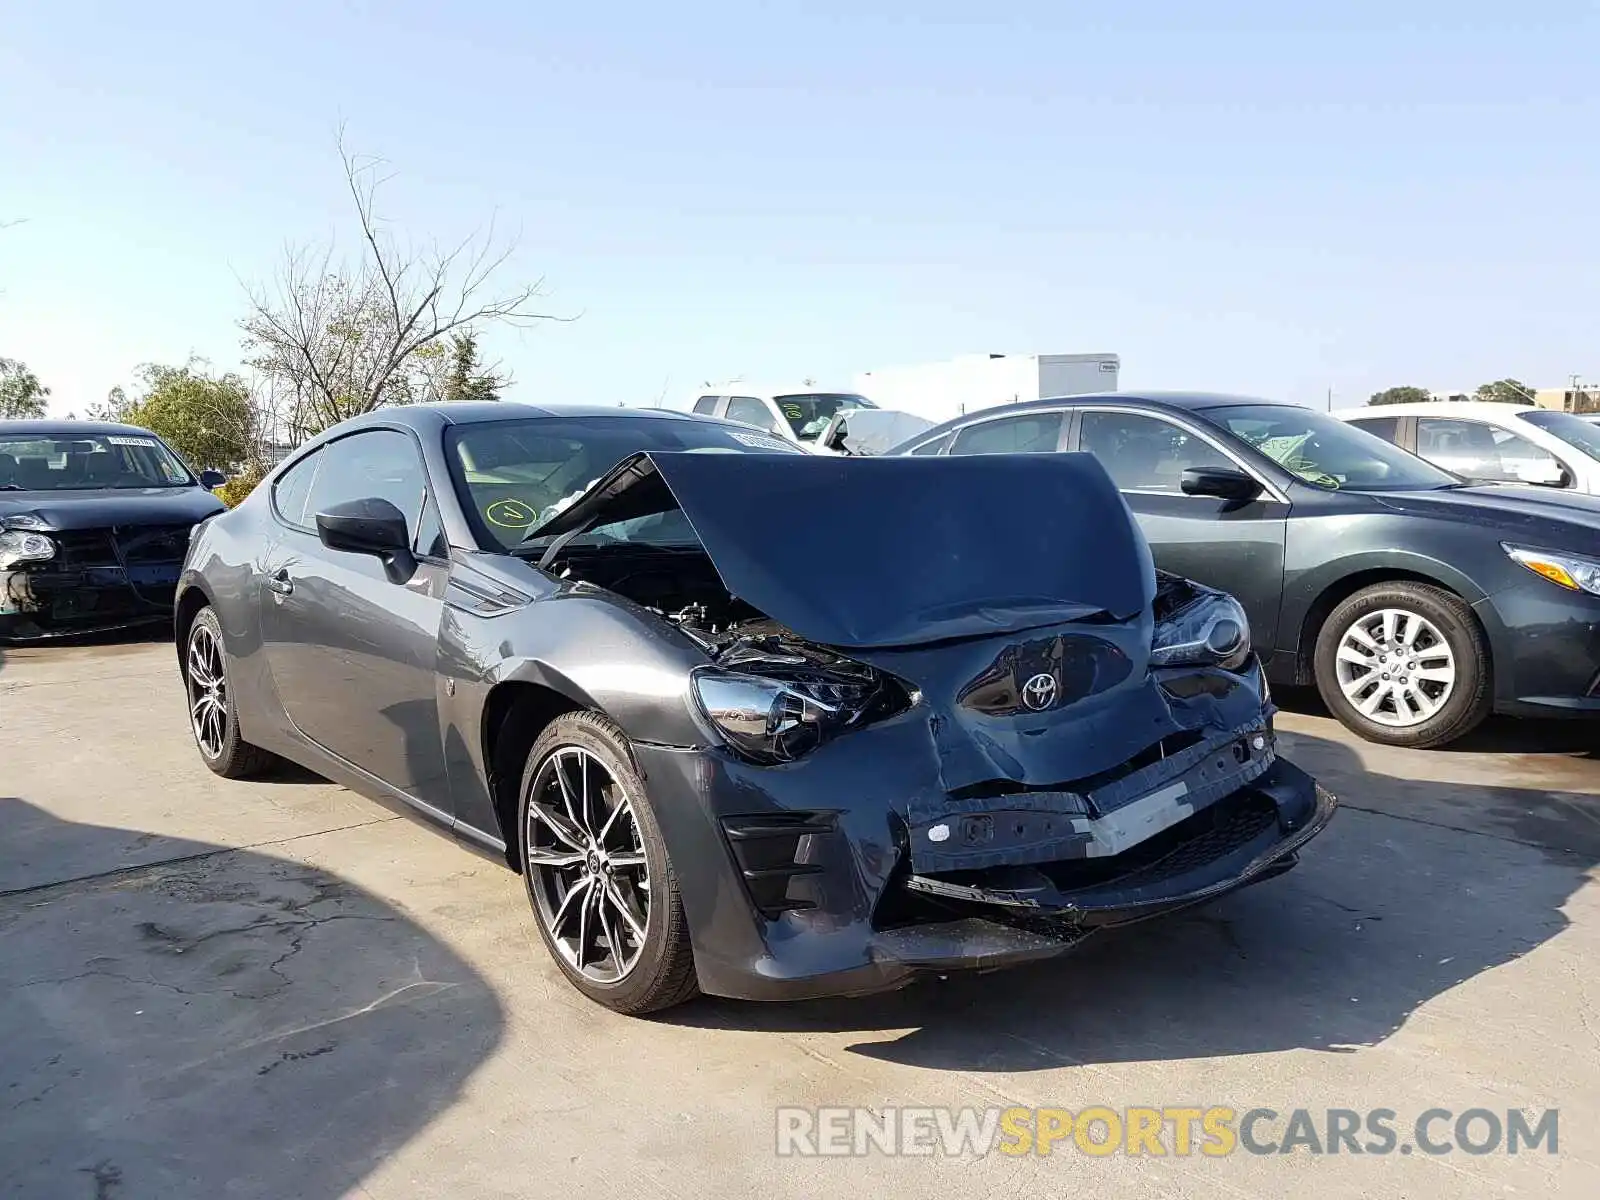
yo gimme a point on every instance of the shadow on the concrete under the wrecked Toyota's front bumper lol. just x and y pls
(1386, 911)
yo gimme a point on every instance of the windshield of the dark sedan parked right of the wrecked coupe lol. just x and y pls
(1327, 452)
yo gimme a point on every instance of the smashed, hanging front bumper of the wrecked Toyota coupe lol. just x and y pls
(788, 902)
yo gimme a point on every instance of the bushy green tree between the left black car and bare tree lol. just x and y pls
(207, 418)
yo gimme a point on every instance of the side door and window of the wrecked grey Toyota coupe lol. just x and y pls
(354, 654)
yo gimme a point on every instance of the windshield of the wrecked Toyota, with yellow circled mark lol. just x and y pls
(513, 476)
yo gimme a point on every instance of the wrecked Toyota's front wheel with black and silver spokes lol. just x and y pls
(599, 879)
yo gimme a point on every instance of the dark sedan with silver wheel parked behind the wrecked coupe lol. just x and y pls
(1415, 602)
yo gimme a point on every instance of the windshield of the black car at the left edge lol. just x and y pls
(89, 462)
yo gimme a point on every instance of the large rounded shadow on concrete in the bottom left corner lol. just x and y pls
(228, 1023)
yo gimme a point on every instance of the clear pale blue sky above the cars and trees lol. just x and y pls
(1266, 198)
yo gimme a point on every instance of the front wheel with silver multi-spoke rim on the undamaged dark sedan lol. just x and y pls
(1406, 665)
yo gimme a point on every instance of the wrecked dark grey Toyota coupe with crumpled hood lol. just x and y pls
(748, 721)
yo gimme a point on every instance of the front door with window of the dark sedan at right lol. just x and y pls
(1230, 545)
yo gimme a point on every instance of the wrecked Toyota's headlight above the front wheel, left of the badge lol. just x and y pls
(774, 721)
